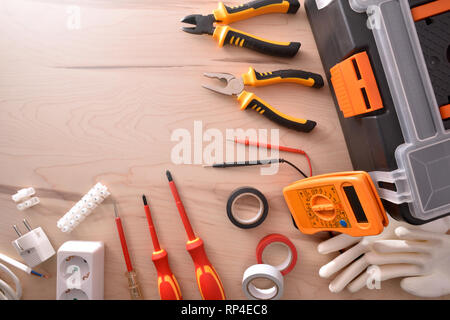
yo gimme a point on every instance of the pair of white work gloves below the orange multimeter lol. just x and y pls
(419, 254)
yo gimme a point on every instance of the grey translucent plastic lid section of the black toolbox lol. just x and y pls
(423, 176)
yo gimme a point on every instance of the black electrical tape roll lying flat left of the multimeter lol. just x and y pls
(260, 216)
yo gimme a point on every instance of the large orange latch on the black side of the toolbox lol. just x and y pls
(355, 86)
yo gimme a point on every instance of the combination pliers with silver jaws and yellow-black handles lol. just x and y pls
(235, 86)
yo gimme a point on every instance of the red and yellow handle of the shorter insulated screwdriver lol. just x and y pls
(167, 283)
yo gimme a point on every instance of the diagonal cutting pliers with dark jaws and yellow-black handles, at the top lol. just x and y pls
(224, 15)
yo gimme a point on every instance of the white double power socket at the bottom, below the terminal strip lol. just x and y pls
(80, 271)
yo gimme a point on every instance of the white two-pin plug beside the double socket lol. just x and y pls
(34, 246)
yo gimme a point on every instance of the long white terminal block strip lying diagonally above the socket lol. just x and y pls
(83, 208)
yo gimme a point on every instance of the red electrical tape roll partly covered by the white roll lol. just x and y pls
(290, 261)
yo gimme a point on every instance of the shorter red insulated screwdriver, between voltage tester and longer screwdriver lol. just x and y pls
(167, 283)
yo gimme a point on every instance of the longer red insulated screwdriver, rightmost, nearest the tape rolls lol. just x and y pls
(208, 280)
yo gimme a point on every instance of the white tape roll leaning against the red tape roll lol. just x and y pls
(263, 271)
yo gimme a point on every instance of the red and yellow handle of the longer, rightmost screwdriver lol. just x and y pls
(208, 280)
